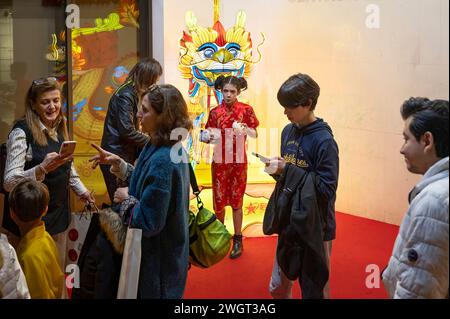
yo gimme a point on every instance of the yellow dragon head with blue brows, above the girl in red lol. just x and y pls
(207, 53)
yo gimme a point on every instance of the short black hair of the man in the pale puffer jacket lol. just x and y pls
(429, 116)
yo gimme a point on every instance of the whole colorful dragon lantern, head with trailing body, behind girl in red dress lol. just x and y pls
(205, 54)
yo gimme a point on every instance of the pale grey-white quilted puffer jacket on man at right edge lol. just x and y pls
(418, 267)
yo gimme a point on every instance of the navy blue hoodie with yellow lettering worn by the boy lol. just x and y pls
(314, 149)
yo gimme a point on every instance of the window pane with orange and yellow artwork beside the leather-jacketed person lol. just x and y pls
(104, 49)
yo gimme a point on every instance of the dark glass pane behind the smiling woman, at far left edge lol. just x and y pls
(26, 29)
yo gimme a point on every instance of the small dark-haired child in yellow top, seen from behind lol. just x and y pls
(37, 252)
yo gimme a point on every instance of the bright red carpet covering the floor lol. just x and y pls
(359, 243)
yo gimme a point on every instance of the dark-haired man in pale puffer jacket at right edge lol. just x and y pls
(419, 264)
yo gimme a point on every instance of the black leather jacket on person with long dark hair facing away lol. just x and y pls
(120, 133)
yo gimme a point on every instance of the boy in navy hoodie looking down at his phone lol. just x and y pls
(308, 145)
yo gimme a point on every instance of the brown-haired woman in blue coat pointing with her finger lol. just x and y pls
(157, 200)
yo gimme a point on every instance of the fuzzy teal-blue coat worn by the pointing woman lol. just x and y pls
(162, 189)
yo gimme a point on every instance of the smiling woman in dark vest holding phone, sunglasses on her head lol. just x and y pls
(33, 152)
